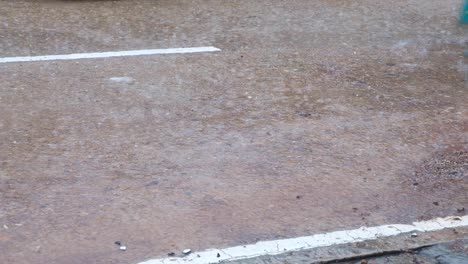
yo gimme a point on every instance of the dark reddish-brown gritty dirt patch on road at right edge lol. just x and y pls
(439, 183)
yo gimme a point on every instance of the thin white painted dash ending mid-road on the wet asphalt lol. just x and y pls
(110, 54)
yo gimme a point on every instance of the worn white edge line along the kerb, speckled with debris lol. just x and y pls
(276, 247)
